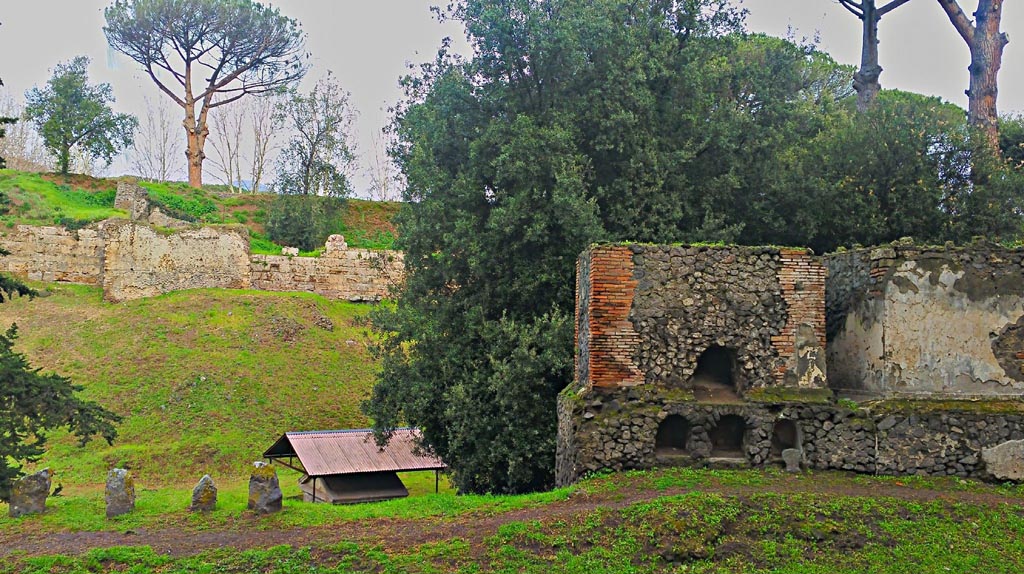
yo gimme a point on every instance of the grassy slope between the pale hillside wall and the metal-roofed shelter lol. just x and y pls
(206, 380)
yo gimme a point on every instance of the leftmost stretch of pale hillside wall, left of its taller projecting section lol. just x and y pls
(54, 254)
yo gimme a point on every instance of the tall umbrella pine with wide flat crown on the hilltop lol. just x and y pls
(207, 54)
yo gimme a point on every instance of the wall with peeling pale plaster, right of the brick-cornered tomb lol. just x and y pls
(927, 323)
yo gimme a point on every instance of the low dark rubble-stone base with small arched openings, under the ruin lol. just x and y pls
(602, 430)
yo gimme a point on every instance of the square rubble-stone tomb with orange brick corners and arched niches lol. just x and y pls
(686, 354)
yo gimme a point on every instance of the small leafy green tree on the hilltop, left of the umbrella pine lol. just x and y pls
(71, 113)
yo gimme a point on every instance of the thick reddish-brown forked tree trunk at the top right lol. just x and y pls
(987, 45)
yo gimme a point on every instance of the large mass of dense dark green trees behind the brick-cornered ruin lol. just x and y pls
(655, 121)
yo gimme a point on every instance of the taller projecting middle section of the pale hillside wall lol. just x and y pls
(142, 261)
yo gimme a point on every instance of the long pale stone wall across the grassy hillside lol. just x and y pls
(151, 253)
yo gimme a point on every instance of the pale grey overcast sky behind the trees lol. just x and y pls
(368, 45)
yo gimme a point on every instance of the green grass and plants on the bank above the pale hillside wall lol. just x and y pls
(77, 201)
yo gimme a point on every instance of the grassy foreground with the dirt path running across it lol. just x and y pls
(673, 520)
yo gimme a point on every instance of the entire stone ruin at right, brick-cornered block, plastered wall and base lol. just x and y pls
(717, 356)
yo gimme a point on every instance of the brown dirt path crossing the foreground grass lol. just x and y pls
(474, 527)
